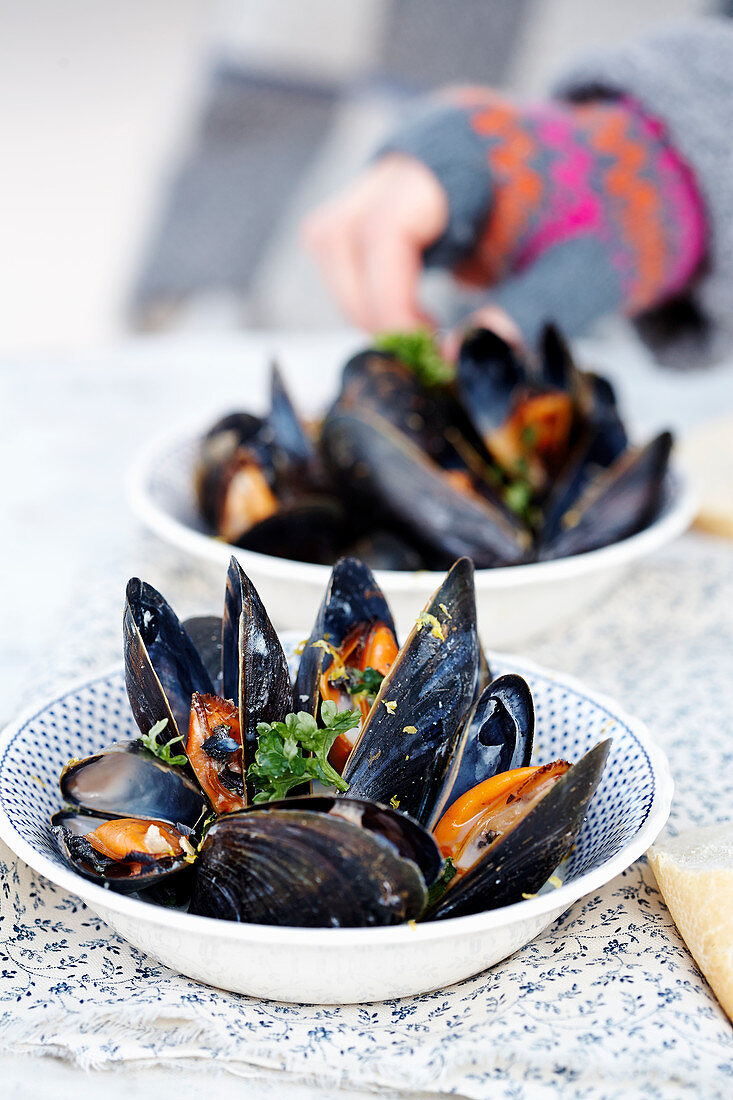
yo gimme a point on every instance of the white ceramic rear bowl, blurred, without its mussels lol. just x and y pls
(513, 603)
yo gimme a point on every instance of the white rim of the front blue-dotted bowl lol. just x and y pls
(543, 906)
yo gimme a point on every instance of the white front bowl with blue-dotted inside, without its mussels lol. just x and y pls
(341, 965)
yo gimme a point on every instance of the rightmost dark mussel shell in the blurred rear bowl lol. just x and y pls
(620, 502)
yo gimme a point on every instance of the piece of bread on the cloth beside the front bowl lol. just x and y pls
(695, 873)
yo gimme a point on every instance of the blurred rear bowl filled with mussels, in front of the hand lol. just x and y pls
(520, 461)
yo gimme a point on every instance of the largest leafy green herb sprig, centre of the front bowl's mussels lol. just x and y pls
(297, 751)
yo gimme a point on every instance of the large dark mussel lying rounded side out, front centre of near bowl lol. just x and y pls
(315, 863)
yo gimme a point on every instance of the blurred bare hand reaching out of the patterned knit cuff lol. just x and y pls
(369, 243)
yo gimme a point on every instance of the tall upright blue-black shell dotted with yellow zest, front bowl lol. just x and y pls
(406, 750)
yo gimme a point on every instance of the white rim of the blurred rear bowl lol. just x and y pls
(672, 523)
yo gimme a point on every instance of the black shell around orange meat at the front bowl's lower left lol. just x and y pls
(145, 873)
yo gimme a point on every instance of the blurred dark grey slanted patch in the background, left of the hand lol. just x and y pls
(256, 138)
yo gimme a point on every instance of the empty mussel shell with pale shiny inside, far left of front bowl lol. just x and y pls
(126, 780)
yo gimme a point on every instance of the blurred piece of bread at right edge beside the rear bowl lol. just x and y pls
(707, 454)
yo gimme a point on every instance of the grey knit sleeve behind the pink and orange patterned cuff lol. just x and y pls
(684, 76)
